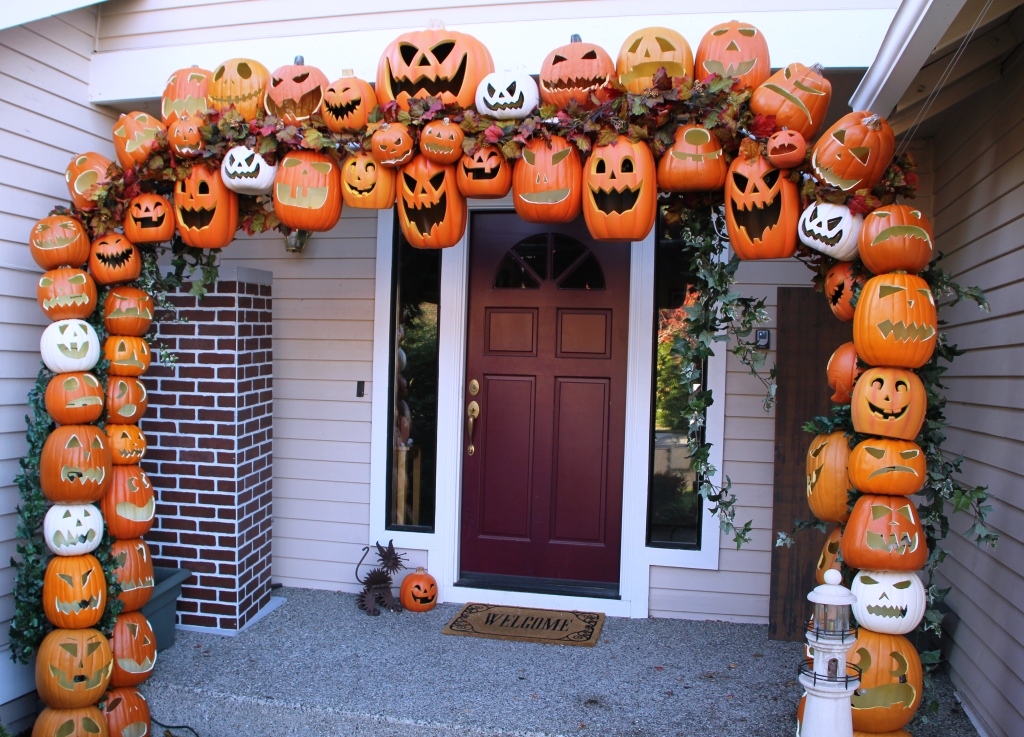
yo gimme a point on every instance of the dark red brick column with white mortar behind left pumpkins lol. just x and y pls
(210, 428)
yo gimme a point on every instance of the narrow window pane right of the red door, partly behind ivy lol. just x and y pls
(675, 507)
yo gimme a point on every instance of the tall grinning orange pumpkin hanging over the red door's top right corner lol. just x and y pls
(620, 201)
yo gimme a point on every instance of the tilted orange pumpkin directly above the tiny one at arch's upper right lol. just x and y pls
(798, 97)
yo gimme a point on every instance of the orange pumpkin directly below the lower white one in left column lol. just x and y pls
(74, 592)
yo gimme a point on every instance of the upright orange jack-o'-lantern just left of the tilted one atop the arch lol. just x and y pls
(734, 50)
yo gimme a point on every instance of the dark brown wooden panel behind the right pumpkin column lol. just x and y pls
(808, 333)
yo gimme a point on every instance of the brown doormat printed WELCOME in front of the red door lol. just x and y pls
(525, 625)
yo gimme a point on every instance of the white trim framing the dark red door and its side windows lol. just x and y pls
(442, 547)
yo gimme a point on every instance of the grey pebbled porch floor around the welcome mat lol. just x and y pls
(320, 667)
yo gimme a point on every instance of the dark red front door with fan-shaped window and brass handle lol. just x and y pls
(546, 368)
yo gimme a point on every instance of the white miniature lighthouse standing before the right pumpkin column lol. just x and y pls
(830, 681)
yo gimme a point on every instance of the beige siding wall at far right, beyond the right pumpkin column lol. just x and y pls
(979, 203)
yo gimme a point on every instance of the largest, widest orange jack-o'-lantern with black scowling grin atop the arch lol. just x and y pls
(435, 63)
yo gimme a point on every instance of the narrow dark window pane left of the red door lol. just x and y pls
(413, 447)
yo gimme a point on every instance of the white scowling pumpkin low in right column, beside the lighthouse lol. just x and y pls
(889, 602)
